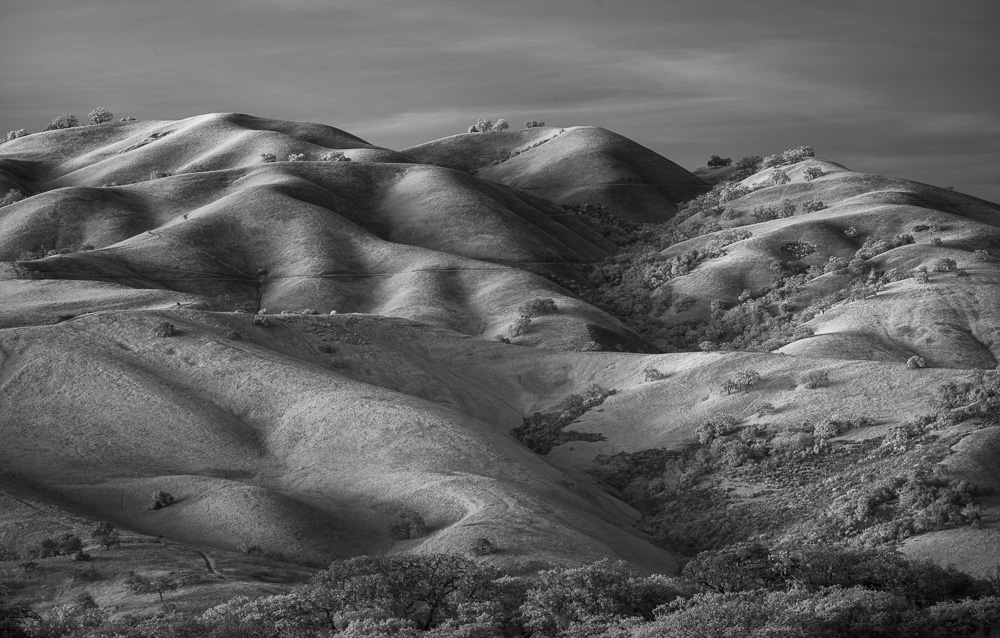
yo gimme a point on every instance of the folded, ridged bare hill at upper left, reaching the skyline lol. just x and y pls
(368, 235)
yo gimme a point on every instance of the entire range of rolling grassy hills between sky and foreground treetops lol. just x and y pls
(312, 355)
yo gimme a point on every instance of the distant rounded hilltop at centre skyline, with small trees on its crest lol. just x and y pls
(581, 164)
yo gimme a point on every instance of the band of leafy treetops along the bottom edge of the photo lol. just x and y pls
(743, 590)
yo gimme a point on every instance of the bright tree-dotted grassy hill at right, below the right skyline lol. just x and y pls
(950, 321)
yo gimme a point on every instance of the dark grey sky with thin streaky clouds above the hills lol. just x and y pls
(907, 88)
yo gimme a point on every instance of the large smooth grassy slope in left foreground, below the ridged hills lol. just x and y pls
(263, 441)
